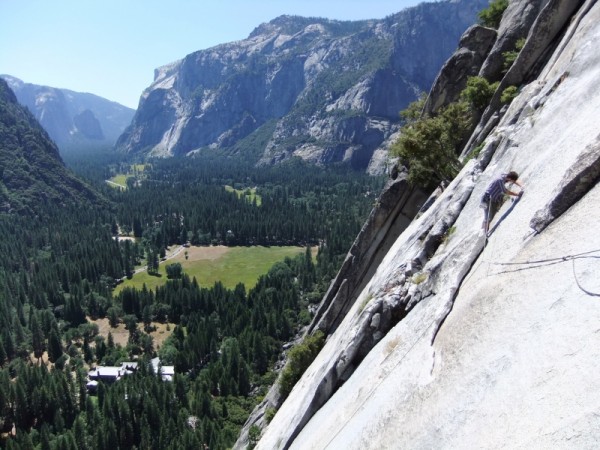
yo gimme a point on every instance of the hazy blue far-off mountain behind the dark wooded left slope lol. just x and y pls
(72, 118)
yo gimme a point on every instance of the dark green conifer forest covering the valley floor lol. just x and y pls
(60, 263)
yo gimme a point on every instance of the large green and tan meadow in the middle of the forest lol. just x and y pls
(230, 265)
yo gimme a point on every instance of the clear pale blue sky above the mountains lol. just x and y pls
(111, 47)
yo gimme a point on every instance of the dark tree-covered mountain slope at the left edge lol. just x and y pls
(33, 176)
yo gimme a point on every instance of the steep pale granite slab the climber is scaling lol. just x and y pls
(459, 342)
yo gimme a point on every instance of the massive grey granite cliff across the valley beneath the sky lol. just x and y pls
(323, 90)
